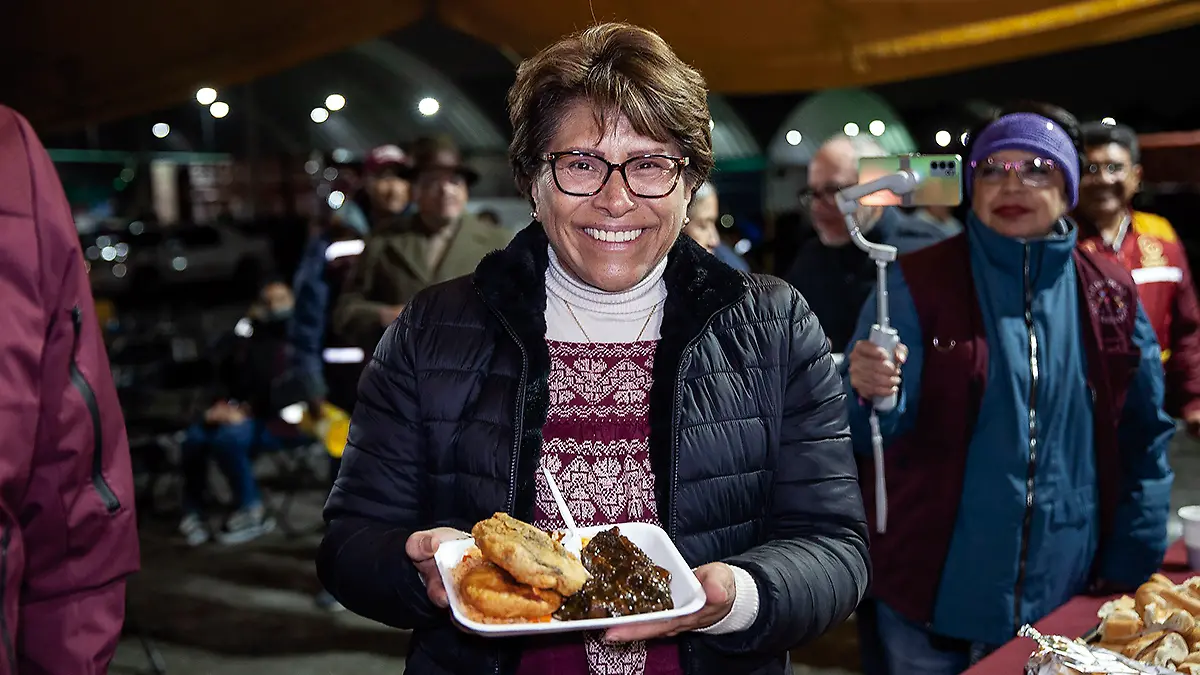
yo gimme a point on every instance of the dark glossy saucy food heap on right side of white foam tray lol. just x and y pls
(625, 582)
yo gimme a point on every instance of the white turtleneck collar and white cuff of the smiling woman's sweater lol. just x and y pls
(619, 318)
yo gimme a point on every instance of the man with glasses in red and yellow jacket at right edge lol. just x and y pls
(1148, 247)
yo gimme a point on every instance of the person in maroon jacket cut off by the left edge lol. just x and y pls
(68, 528)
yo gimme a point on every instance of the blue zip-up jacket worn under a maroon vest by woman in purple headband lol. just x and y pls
(976, 598)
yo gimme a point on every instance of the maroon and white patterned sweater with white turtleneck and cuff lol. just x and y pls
(596, 444)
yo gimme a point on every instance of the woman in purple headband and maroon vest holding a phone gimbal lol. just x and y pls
(1027, 461)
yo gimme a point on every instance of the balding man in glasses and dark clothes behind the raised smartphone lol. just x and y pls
(835, 276)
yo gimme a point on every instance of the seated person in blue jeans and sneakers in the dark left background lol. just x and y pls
(242, 422)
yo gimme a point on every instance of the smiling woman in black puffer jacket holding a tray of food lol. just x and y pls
(655, 385)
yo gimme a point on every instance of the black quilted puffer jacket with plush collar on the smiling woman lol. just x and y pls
(749, 445)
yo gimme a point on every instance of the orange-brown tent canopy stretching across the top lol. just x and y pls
(70, 63)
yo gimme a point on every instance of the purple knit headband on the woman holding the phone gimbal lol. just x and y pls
(1033, 134)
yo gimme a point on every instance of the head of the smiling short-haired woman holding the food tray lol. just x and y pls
(591, 107)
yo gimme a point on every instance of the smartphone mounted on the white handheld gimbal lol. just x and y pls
(941, 183)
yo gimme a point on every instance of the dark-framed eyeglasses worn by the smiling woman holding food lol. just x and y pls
(584, 175)
